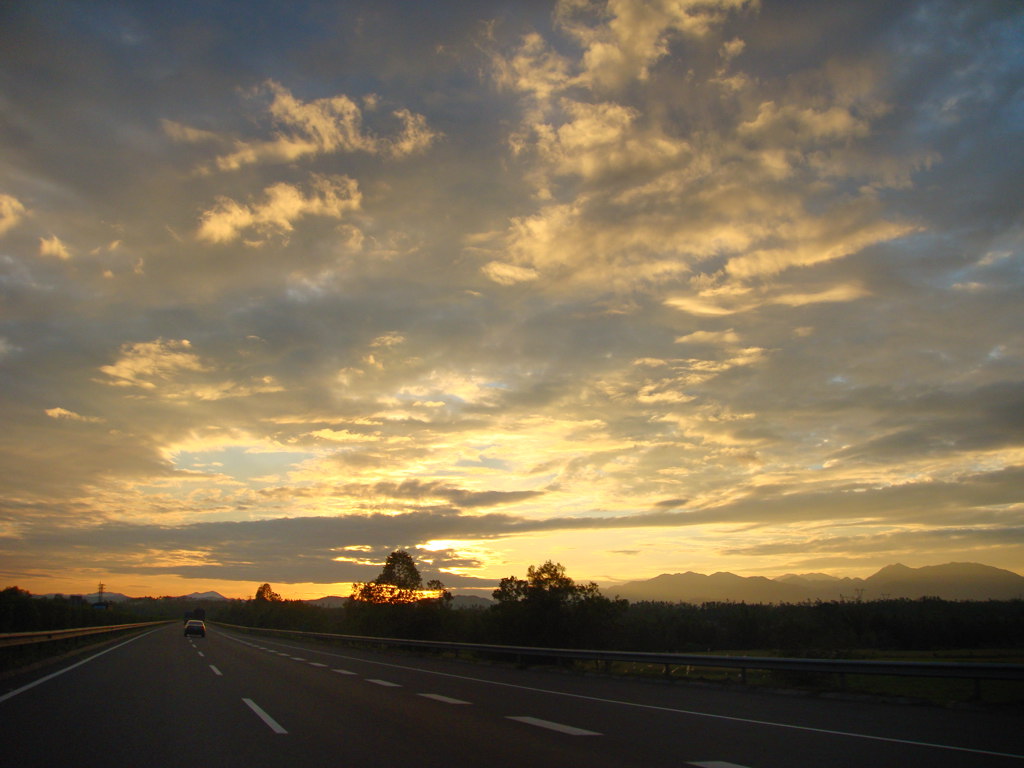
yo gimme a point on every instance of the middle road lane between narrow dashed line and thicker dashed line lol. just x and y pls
(352, 719)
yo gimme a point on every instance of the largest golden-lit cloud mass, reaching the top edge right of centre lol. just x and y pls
(627, 201)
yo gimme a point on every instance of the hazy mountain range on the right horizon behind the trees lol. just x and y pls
(951, 582)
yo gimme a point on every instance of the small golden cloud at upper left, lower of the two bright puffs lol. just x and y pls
(283, 205)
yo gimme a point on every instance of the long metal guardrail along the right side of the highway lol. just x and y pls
(962, 670)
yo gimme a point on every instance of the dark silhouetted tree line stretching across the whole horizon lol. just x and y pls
(548, 609)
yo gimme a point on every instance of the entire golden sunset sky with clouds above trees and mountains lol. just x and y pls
(635, 287)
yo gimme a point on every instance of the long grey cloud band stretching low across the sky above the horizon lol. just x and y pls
(320, 549)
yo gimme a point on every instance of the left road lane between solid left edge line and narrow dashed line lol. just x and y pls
(152, 702)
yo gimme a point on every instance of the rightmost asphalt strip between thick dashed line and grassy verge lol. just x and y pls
(748, 724)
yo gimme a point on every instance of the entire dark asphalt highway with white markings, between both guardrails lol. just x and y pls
(235, 700)
